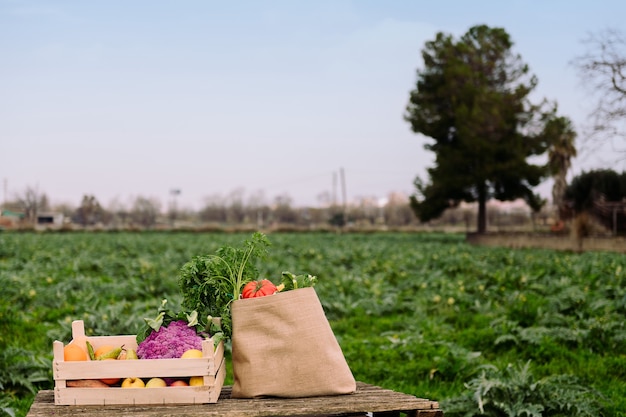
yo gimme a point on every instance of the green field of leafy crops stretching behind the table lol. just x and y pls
(526, 332)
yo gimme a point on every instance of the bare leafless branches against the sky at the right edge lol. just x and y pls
(602, 70)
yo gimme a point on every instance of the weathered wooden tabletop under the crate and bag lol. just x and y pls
(368, 400)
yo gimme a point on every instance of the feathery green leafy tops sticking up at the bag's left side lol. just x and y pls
(209, 283)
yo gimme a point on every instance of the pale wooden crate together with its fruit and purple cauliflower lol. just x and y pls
(112, 349)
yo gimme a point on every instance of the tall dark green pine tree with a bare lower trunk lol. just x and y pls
(471, 99)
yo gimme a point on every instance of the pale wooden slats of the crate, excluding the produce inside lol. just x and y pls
(211, 367)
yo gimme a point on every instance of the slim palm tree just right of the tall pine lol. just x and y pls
(560, 132)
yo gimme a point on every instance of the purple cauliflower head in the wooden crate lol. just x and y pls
(169, 342)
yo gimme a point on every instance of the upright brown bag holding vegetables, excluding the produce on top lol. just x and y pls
(283, 346)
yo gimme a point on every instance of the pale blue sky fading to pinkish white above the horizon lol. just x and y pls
(125, 98)
